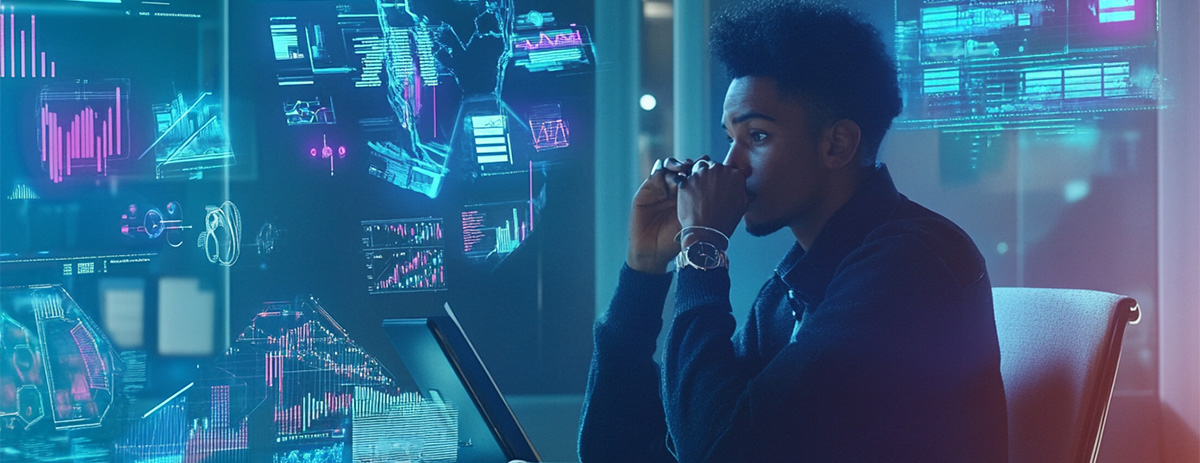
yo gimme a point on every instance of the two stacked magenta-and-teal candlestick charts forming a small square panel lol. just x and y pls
(405, 256)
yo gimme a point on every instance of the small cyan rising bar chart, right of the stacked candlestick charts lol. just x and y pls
(495, 231)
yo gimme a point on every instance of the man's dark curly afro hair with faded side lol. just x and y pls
(824, 56)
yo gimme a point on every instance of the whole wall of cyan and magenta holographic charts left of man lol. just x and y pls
(442, 125)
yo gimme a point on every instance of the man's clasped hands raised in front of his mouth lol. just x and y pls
(677, 195)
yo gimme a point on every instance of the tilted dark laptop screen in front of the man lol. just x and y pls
(446, 368)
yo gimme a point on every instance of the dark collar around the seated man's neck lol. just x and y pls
(809, 273)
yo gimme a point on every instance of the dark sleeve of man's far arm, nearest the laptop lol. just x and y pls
(623, 417)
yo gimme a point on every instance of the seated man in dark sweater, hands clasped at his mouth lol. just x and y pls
(875, 340)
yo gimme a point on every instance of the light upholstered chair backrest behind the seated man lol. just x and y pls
(1060, 351)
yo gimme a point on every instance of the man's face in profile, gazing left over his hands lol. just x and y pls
(775, 148)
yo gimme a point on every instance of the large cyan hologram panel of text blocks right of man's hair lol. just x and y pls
(968, 67)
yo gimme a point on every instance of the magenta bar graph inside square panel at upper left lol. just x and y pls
(82, 141)
